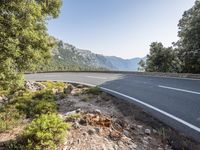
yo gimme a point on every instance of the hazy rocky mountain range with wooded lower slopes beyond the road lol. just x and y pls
(67, 57)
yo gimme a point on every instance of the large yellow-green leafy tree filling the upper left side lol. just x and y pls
(24, 41)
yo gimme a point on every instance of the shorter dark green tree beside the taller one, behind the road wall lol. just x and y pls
(160, 59)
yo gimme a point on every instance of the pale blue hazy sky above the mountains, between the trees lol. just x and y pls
(123, 28)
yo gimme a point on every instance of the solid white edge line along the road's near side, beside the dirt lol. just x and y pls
(145, 104)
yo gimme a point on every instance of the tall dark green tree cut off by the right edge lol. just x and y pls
(189, 42)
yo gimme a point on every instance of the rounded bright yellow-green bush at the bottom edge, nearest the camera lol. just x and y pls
(45, 132)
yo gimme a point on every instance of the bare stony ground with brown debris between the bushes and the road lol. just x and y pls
(103, 122)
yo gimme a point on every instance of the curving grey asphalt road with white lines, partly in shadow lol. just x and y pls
(174, 101)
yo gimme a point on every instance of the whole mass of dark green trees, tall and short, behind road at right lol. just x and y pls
(185, 56)
